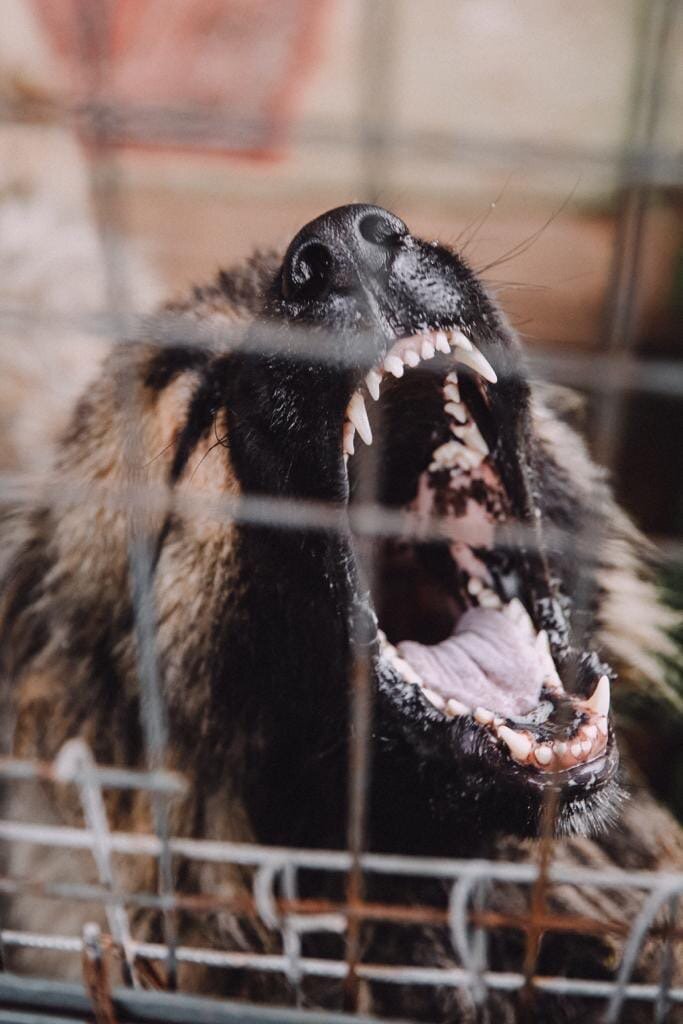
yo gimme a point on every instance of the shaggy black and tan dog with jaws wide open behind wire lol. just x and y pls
(489, 647)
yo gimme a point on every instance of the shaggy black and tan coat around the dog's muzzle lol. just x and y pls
(241, 610)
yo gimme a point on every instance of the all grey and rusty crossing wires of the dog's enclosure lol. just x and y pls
(643, 167)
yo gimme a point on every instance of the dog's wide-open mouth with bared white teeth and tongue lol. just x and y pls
(467, 622)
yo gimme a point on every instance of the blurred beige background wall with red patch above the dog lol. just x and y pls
(501, 126)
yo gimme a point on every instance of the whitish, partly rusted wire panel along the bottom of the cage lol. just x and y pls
(276, 905)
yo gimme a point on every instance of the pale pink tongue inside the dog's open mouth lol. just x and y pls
(489, 662)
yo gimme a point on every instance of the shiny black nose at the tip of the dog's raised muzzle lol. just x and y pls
(340, 249)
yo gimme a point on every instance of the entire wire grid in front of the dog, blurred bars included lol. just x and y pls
(275, 900)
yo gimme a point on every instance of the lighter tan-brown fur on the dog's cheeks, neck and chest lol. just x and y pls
(110, 484)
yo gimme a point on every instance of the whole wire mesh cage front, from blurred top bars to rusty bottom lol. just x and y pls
(643, 168)
